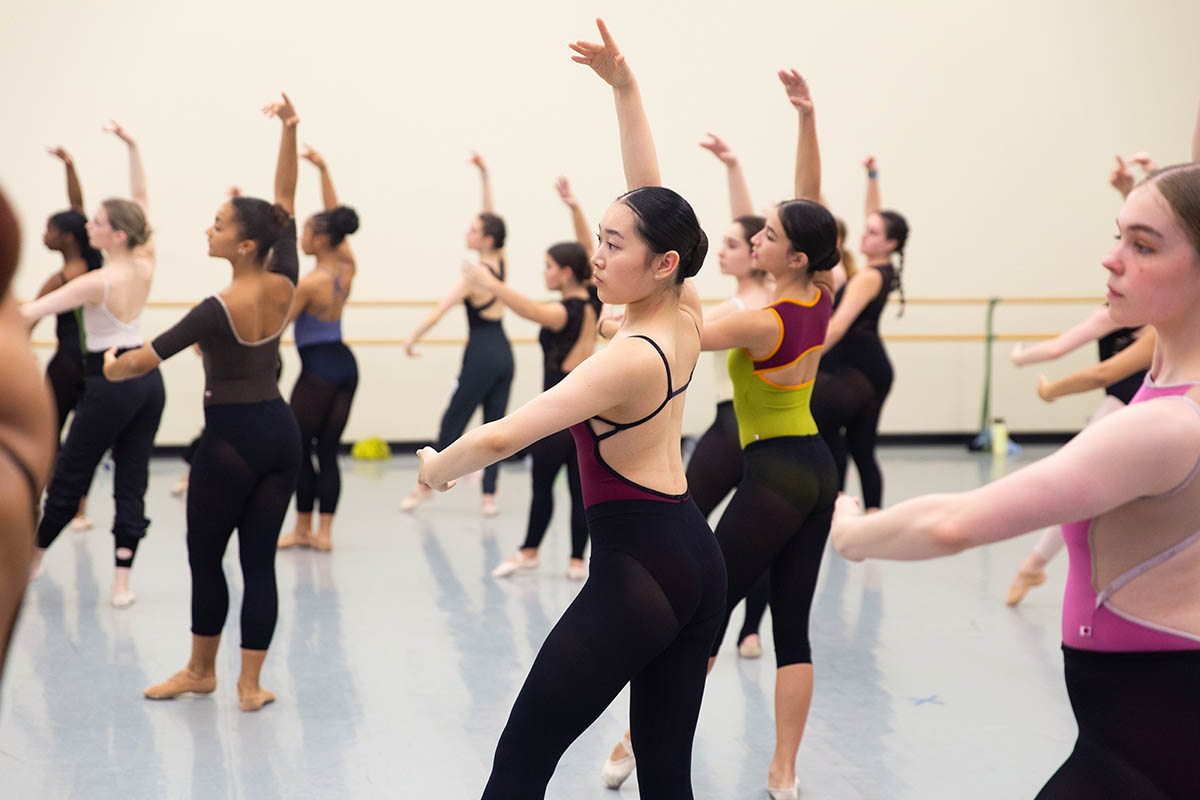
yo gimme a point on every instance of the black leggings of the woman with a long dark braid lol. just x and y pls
(847, 408)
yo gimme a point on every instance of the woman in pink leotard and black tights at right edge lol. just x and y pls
(1131, 619)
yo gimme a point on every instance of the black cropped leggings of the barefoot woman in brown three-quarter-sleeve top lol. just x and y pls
(244, 472)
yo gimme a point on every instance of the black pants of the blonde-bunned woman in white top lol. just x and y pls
(123, 417)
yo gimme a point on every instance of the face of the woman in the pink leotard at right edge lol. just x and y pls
(1154, 268)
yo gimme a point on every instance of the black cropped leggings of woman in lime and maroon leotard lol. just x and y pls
(779, 522)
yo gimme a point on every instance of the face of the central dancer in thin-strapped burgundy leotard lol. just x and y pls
(623, 268)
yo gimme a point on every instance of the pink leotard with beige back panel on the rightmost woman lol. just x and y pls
(1130, 567)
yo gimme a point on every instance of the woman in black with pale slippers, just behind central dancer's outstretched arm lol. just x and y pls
(567, 338)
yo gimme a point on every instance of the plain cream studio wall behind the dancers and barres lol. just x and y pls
(995, 127)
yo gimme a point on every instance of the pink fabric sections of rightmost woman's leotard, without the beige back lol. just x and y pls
(1091, 621)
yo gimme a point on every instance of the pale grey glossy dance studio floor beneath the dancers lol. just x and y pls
(398, 657)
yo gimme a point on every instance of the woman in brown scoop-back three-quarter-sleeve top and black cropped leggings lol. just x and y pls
(245, 467)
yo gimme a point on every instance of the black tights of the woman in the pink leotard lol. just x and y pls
(1138, 714)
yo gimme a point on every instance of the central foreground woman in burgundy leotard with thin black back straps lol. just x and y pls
(650, 611)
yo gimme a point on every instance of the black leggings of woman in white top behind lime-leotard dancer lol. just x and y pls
(713, 472)
